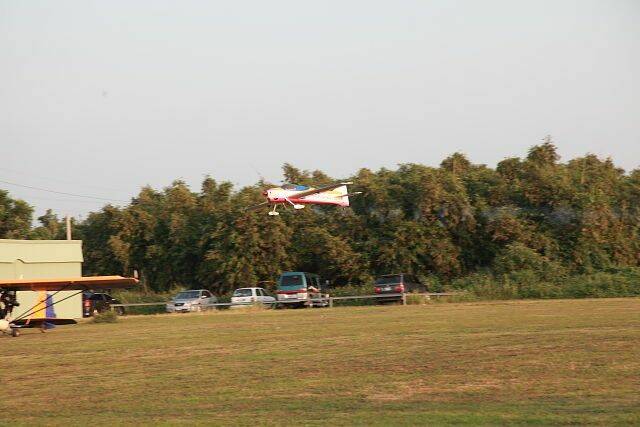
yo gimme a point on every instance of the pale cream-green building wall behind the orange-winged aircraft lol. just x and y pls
(43, 259)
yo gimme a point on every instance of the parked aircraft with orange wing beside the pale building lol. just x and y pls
(42, 315)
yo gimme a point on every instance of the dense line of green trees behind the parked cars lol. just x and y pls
(531, 227)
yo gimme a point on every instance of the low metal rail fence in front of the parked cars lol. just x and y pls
(326, 300)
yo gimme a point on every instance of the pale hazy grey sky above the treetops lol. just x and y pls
(99, 98)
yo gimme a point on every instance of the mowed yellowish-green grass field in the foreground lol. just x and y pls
(539, 362)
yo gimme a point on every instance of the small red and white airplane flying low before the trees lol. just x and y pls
(299, 195)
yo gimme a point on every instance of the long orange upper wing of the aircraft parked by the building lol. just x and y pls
(69, 283)
